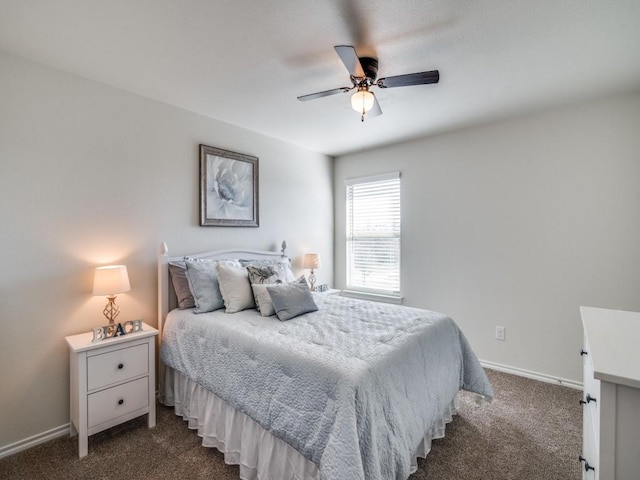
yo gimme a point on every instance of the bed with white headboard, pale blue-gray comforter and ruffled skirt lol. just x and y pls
(350, 389)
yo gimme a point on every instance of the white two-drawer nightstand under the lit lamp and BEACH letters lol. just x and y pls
(112, 381)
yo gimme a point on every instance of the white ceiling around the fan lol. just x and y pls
(245, 62)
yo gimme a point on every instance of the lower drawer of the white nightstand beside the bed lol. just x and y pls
(117, 401)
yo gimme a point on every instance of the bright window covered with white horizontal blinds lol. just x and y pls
(373, 234)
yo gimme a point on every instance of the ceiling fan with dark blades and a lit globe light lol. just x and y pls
(363, 72)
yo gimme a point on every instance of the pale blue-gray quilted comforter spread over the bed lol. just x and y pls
(353, 387)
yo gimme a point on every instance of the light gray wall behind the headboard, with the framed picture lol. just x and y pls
(92, 175)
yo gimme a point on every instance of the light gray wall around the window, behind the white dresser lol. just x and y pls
(517, 224)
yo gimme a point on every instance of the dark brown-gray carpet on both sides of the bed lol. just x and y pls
(532, 430)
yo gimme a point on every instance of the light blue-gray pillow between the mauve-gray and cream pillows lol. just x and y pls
(203, 283)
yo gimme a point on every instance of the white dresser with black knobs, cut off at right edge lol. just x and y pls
(611, 399)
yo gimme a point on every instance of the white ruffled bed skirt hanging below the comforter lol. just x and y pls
(260, 455)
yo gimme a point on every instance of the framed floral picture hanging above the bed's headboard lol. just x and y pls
(228, 188)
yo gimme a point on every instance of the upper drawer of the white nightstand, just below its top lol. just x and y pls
(117, 366)
